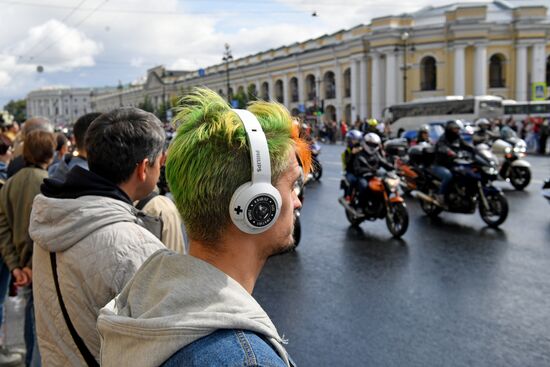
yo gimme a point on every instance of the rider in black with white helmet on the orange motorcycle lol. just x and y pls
(367, 163)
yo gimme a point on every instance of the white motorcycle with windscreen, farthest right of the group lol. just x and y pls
(514, 168)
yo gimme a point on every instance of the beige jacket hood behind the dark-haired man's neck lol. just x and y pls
(58, 224)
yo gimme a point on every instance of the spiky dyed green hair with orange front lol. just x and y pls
(209, 157)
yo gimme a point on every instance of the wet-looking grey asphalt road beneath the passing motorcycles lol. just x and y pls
(452, 292)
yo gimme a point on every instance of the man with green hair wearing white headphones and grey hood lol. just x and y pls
(197, 309)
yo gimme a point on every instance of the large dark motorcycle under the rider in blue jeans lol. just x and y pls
(471, 188)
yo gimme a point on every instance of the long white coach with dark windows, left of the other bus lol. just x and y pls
(411, 115)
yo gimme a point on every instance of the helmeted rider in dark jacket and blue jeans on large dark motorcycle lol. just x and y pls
(446, 149)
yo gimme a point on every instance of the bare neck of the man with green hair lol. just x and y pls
(238, 256)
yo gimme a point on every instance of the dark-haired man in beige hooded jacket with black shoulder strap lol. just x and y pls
(88, 229)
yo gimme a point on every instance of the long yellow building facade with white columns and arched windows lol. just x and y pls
(481, 48)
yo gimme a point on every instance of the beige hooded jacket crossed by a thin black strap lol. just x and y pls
(99, 248)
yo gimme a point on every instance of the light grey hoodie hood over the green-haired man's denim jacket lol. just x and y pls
(172, 301)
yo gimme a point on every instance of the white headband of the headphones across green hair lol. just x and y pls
(259, 152)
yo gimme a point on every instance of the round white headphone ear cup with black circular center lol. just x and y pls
(255, 208)
